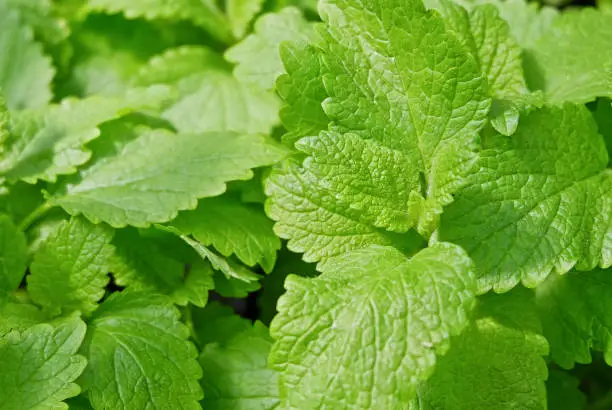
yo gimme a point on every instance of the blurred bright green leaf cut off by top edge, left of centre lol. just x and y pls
(205, 13)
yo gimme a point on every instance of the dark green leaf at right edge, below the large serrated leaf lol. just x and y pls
(574, 312)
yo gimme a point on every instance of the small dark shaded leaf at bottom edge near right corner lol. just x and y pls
(564, 392)
